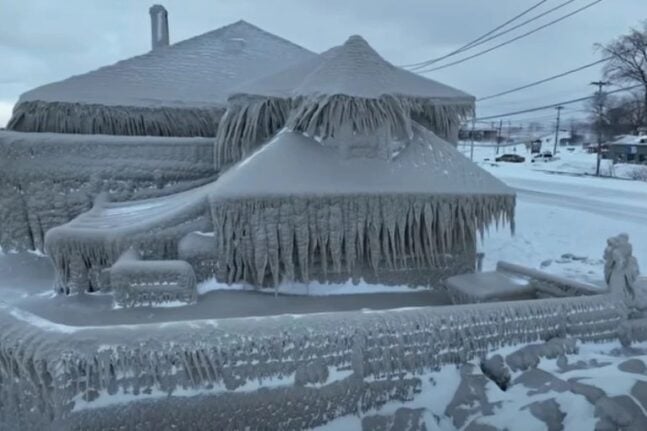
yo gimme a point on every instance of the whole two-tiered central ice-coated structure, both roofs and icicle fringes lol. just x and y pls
(353, 184)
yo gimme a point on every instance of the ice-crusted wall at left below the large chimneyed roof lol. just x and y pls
(48, 179)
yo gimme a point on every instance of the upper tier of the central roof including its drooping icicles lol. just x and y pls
(349, 88)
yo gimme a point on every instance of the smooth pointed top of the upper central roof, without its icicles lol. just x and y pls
(352, 69)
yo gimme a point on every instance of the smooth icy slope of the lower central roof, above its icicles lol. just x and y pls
(294, 165)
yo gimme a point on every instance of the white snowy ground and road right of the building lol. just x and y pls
(563, 216)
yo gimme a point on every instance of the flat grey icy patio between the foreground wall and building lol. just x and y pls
(29, 278)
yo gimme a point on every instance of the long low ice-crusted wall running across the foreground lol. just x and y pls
(326, 364)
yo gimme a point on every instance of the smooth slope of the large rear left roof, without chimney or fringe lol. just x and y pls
(199, 71)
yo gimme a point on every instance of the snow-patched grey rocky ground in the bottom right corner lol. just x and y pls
(600, 384)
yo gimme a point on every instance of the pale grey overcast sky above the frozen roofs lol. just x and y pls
(42, 41)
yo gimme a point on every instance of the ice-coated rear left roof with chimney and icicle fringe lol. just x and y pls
(175, 89)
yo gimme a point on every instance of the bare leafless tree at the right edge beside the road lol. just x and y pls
(628, 61)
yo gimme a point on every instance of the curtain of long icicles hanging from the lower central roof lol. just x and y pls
(345, 232)
